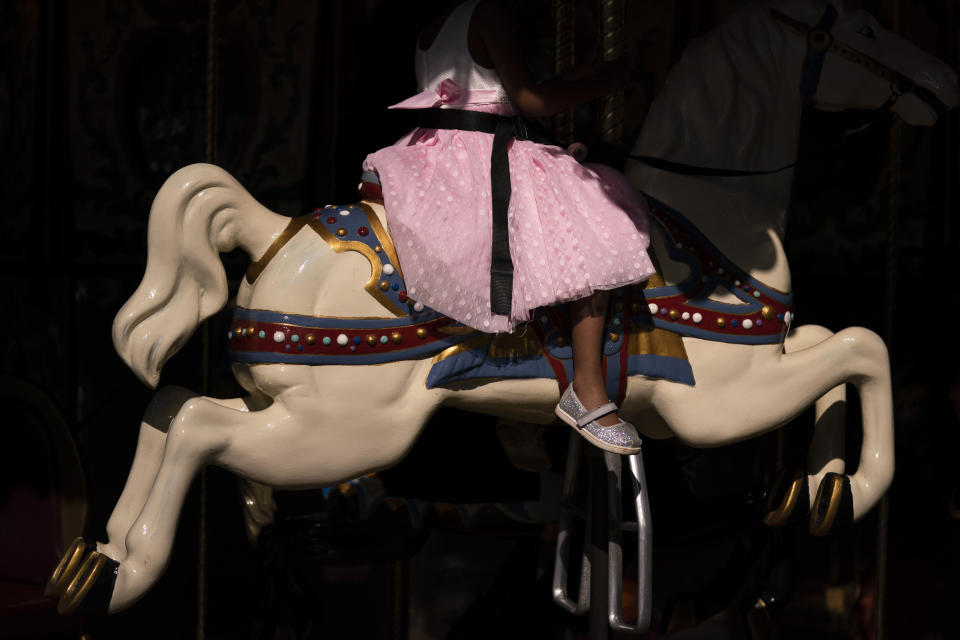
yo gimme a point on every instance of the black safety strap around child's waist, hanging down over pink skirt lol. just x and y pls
(503, 129)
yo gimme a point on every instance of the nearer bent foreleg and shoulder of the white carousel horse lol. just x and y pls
(770, 389)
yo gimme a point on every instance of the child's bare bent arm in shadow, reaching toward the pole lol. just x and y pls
(531, 98)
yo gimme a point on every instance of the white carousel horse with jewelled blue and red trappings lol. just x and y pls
(343, 370)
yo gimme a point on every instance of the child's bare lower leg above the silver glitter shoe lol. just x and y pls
(588, 318)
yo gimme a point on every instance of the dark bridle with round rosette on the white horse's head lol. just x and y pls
(820, 41)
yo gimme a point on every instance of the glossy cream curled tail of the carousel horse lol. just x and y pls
(198, 212)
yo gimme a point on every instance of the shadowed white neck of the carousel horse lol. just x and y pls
(730, 103)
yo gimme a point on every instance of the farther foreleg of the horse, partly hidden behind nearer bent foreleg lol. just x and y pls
(794, 490)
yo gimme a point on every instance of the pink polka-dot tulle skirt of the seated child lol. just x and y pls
(574, 229)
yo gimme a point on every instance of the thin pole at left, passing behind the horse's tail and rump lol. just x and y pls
(210, 155)
